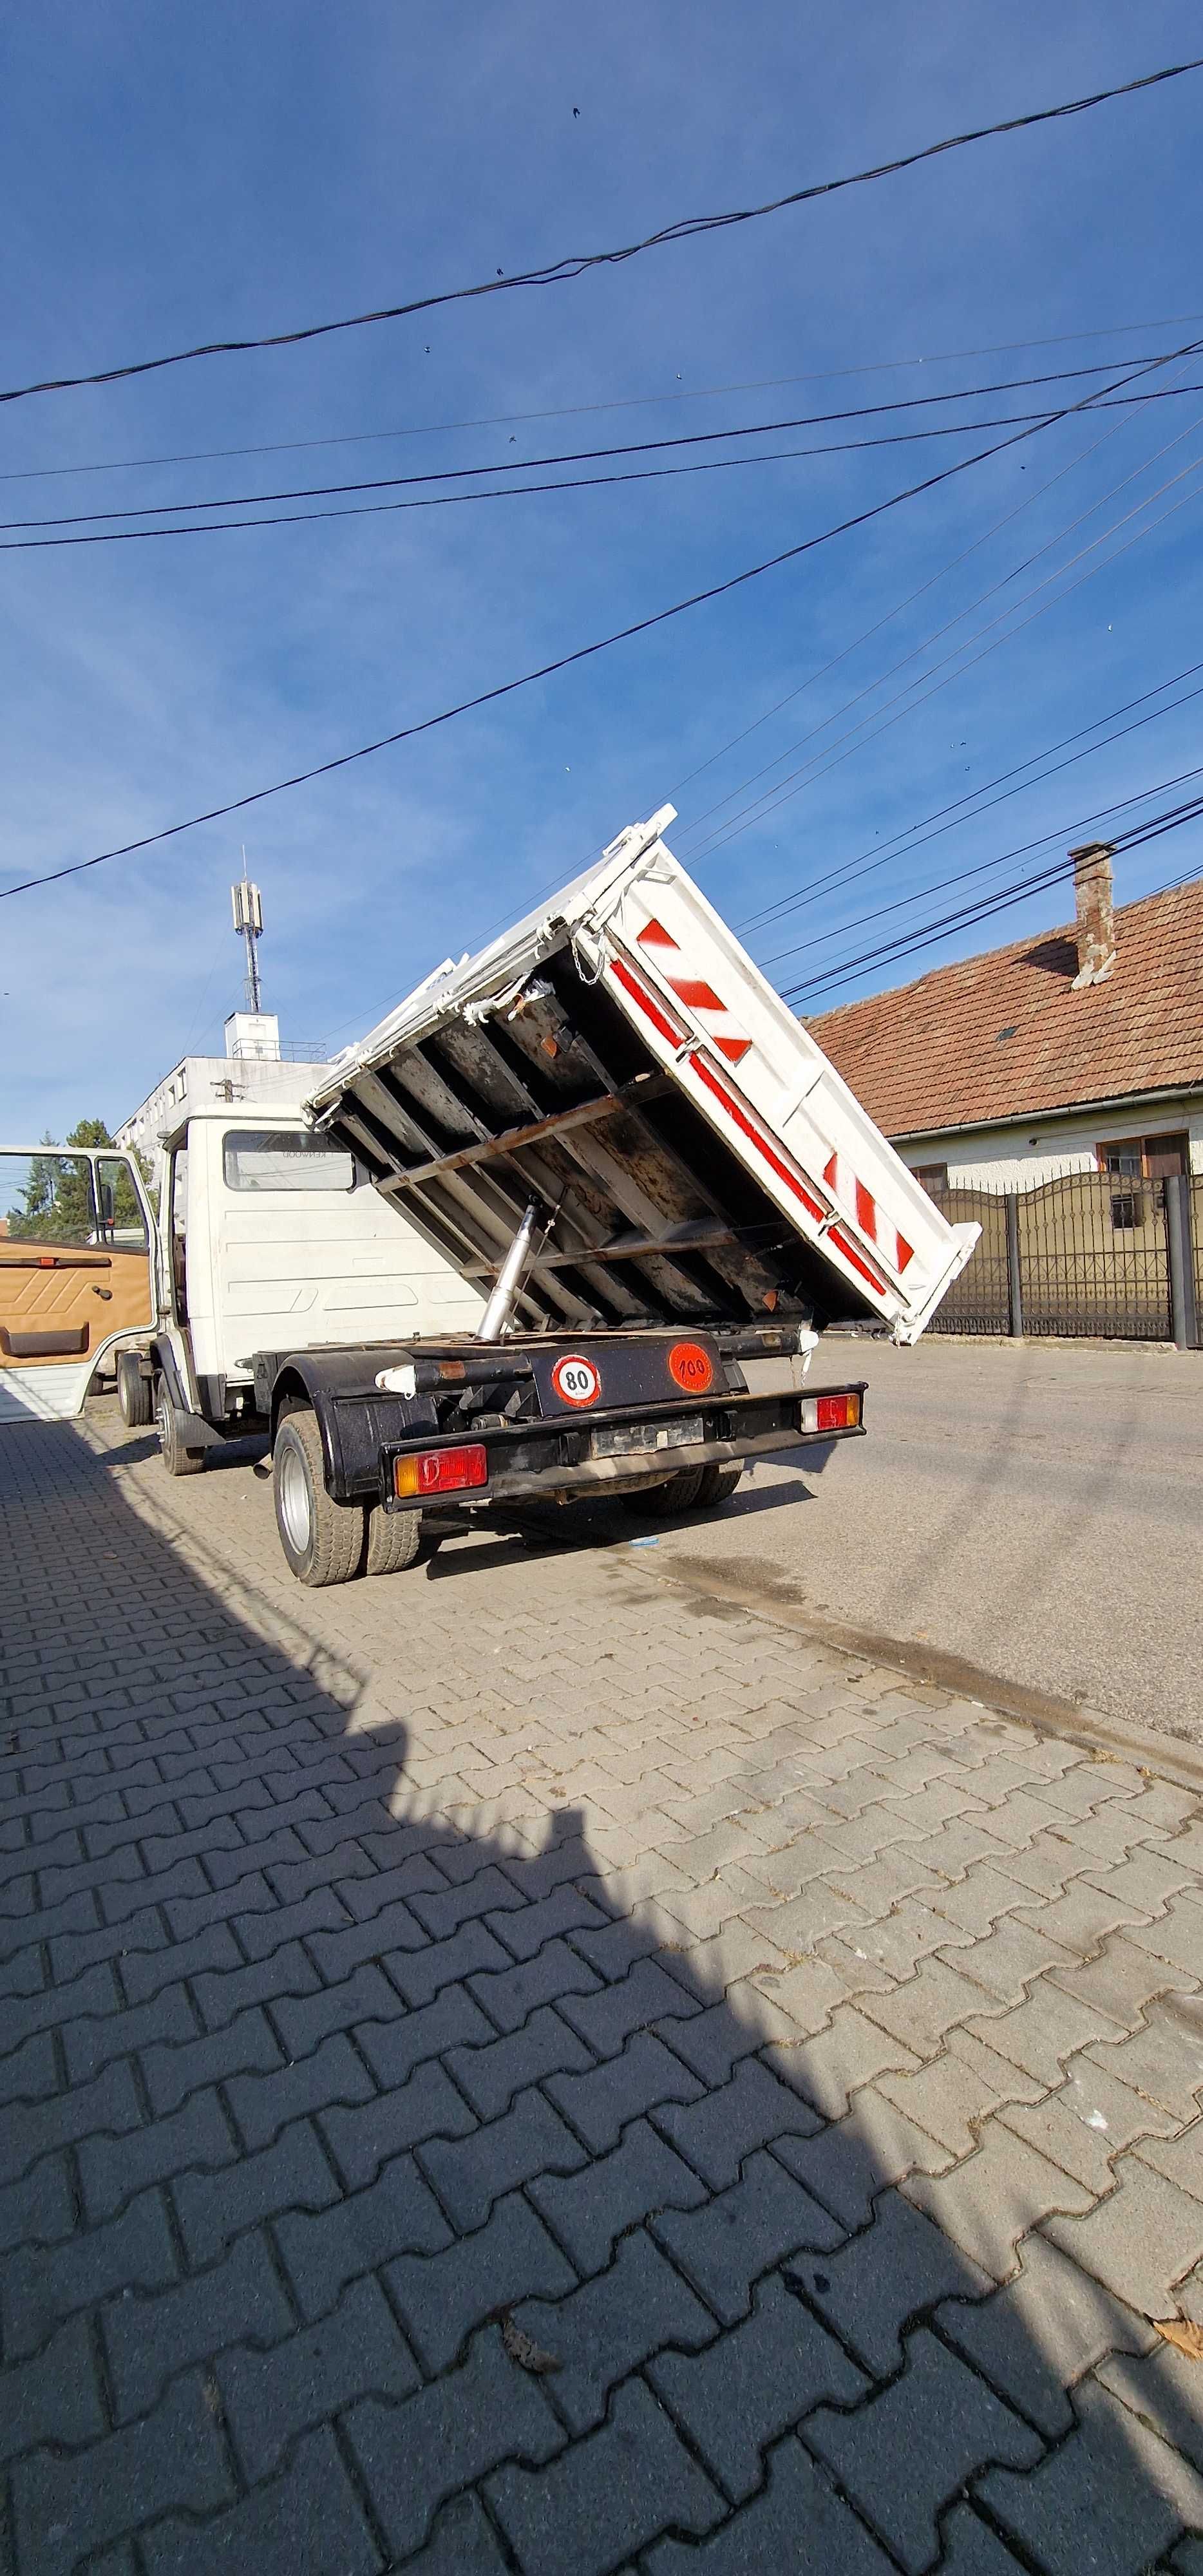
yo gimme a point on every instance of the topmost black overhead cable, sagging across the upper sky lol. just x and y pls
(578, 264)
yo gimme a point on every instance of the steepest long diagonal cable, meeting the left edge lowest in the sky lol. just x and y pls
(583, 653)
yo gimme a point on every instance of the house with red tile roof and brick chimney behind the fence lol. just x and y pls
(1078, 1050)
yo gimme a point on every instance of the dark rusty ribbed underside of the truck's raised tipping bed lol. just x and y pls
(560, 1101)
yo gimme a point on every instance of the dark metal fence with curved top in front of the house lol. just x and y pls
(1081, 1256)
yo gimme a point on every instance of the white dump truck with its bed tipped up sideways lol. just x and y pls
(571, 1222)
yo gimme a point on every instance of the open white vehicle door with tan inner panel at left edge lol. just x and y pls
(76, 1274)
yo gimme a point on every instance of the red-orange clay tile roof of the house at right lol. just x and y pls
(934, 1055)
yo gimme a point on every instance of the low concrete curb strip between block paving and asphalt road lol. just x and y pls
(1050, 1717)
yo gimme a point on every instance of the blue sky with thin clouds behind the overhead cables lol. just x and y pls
(179, 174)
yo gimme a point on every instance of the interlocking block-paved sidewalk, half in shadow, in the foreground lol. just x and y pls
(506, 1967)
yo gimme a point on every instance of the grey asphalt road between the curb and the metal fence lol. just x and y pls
(1029, 1508)
